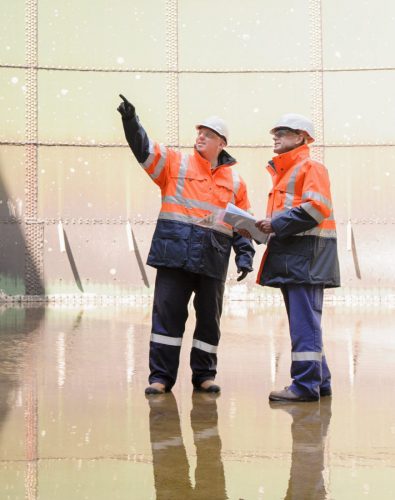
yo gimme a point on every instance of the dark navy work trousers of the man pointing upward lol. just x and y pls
(173, 291)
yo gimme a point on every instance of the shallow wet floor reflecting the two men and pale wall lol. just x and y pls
(75, 424)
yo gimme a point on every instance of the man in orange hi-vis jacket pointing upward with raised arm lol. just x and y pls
(189, 258)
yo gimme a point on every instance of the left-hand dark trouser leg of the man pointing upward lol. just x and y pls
(173, 290)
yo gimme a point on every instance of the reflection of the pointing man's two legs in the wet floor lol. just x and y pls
(171, 467)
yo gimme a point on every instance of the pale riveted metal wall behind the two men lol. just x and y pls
(62, 151)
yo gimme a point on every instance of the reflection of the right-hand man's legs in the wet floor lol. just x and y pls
(309, 429)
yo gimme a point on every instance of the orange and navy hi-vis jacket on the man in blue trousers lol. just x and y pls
(303, 248)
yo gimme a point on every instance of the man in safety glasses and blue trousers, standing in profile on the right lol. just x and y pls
(301, 256)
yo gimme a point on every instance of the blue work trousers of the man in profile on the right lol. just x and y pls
(309, 370)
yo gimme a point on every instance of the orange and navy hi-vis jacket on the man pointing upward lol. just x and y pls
(191, 191)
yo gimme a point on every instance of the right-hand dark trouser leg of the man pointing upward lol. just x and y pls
(208, 300)
